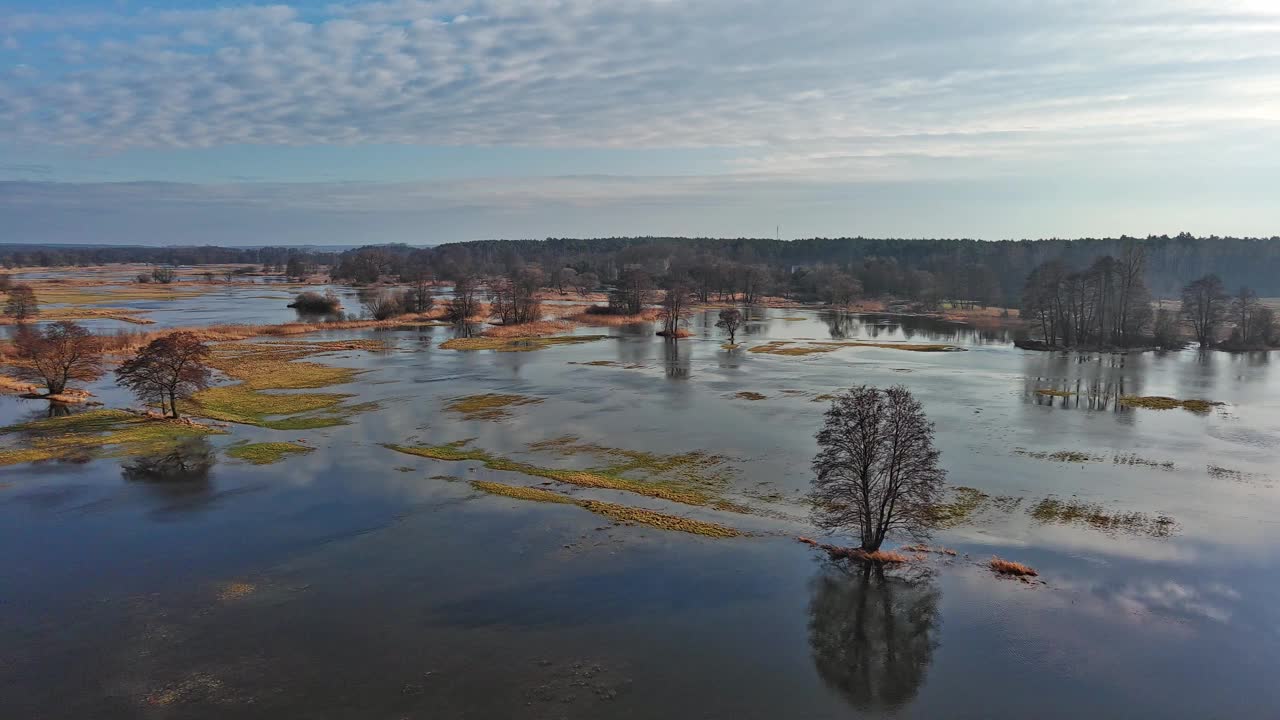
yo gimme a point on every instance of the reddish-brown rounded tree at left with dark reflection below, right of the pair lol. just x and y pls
(168, 368)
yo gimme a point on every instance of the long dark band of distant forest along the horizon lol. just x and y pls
(988, 272)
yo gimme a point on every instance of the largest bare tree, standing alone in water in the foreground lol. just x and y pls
(877, 471)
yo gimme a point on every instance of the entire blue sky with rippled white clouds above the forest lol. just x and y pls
(437, 121)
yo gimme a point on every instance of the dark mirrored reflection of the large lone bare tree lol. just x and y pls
(874, 632)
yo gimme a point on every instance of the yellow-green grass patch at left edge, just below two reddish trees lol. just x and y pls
(89, 435)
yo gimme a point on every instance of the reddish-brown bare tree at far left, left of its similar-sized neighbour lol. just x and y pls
(61, 354)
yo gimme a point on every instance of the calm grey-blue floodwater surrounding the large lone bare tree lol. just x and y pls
(358, 582)
